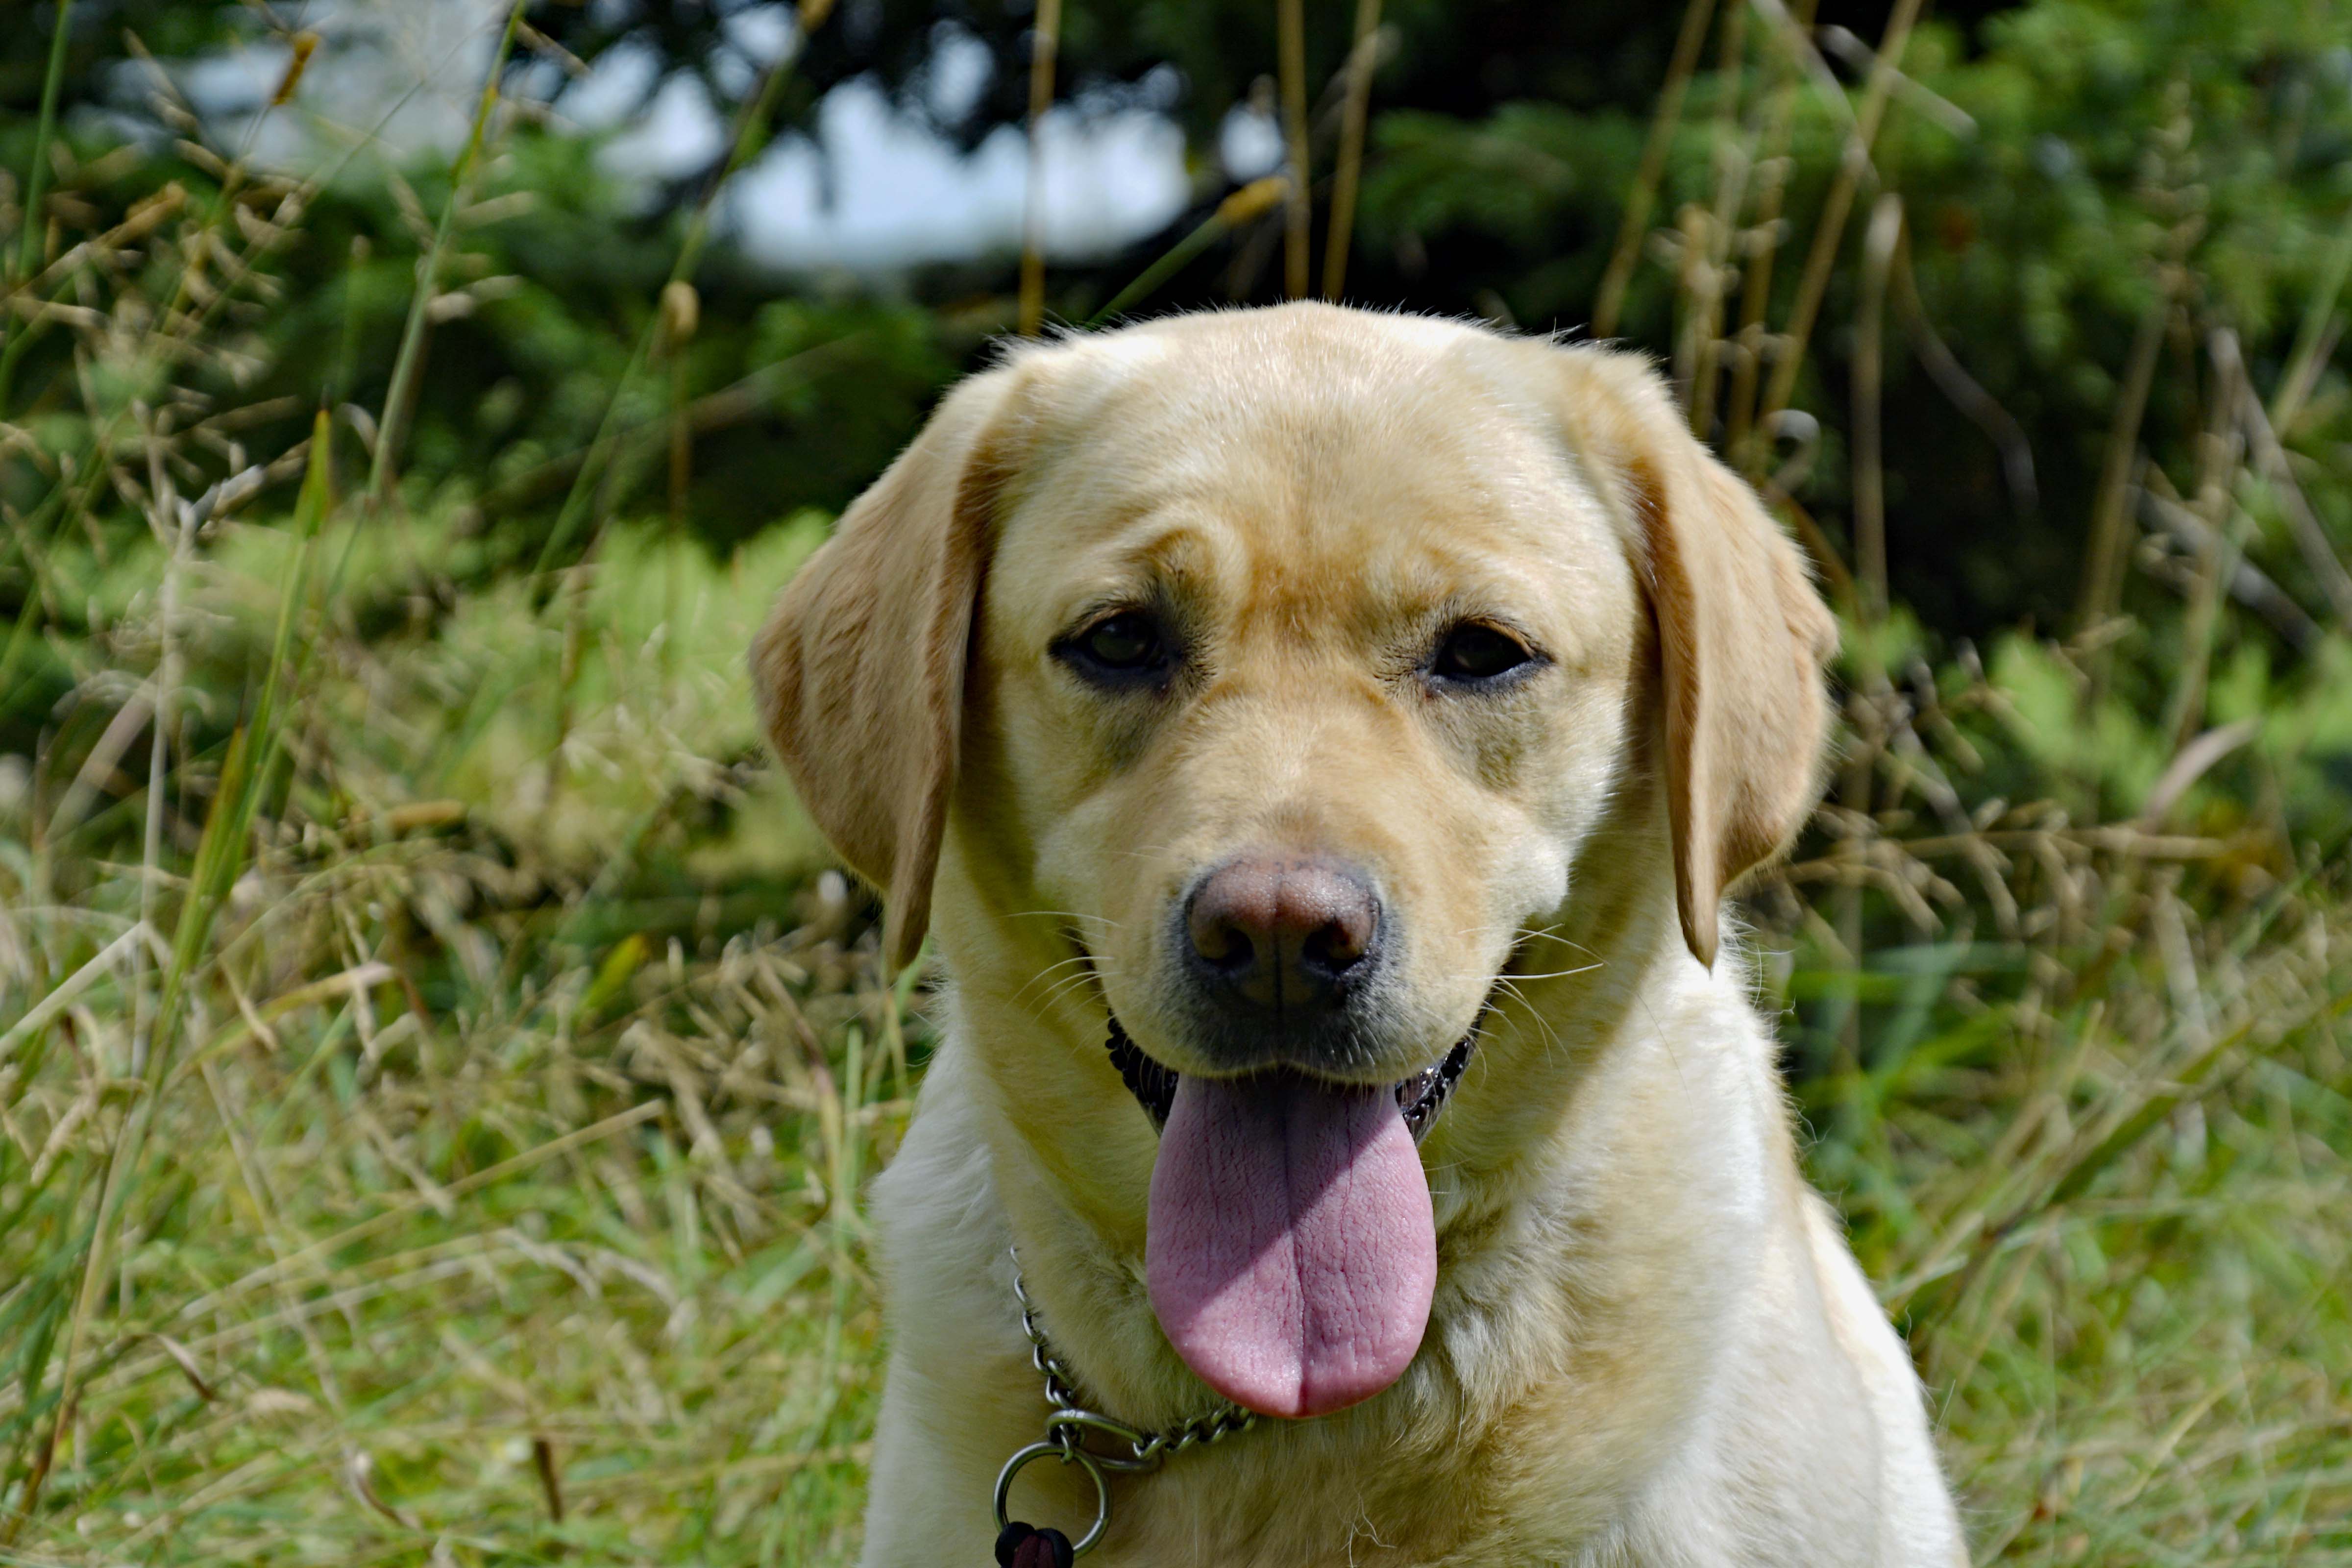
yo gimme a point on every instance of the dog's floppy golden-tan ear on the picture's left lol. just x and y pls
(862, 664)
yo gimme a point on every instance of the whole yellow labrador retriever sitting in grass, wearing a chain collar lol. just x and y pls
(1318, 746)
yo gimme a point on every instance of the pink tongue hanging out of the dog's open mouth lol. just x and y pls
(1290, 1249)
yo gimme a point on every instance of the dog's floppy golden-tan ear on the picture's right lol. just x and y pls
(1742, 634)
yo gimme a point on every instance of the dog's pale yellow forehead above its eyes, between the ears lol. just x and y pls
(1297, 434)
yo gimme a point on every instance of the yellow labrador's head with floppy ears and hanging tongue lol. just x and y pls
(1267, 681)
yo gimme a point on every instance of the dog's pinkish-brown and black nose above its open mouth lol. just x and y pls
(1283, 934)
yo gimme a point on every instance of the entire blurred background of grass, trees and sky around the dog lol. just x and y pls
(439, 1064)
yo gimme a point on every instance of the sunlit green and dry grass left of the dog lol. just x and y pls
(469, 1155)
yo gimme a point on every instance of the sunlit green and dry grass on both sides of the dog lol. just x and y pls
(500, 1200)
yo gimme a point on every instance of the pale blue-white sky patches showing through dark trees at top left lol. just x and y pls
(874, 189)
